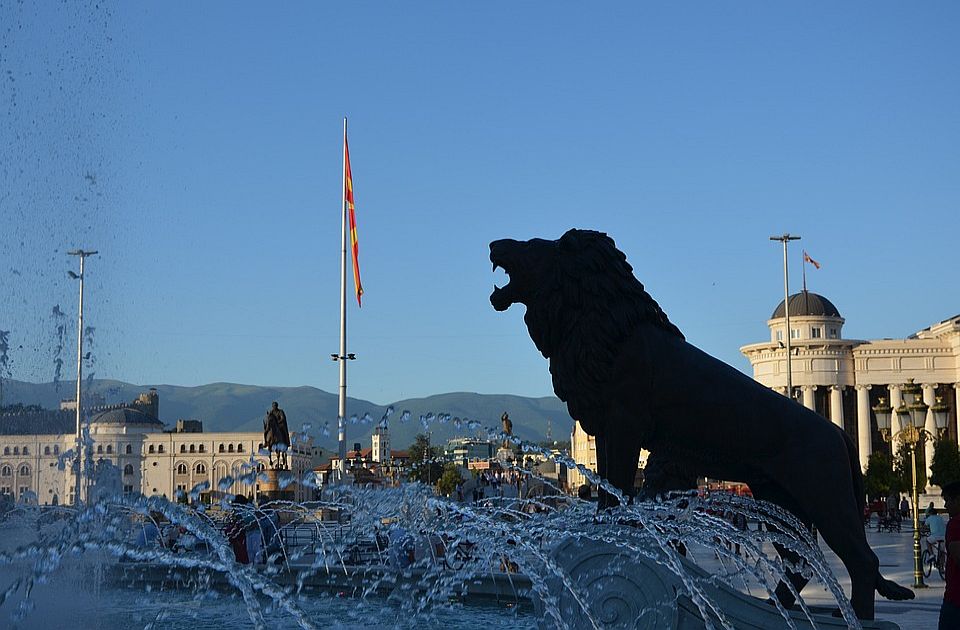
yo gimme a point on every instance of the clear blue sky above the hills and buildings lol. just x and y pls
(198, 147)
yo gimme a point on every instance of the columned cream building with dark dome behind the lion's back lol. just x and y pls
(842, 379)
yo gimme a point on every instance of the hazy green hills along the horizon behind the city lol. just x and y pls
(233, 407)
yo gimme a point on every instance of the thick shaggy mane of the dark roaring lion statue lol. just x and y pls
(587, 307)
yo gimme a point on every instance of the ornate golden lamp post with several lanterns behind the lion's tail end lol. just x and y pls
(912, 418)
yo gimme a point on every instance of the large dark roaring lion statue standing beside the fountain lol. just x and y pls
(630, 378)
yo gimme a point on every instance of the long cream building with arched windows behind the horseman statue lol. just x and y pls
(135, 453)
